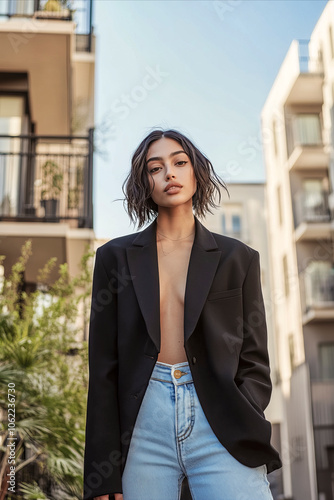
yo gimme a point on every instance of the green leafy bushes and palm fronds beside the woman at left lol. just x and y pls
(37, 341)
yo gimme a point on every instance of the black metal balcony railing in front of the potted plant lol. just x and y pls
(47, 178)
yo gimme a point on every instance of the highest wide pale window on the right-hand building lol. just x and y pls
(307, 129)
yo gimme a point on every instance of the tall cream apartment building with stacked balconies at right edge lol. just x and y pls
(297, 131)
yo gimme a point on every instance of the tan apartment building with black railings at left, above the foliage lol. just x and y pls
(47, 65)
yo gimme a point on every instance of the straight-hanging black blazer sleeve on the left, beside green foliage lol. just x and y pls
(102, 458)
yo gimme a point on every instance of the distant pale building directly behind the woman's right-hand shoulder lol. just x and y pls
(243, 216)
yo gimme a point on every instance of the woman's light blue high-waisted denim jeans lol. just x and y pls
(173, 439)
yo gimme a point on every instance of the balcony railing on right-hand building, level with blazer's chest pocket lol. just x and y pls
(317, 286)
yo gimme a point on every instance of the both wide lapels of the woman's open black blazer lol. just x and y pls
(143, 264)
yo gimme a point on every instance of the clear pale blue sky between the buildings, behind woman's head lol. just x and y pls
(202, 67)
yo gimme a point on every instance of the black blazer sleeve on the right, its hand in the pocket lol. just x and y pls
(253, 374)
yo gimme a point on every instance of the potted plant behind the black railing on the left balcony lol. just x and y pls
(52, 184)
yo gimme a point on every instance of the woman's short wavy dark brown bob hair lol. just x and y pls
(137, 190)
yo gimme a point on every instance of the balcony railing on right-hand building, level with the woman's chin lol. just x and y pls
(311, 207)
